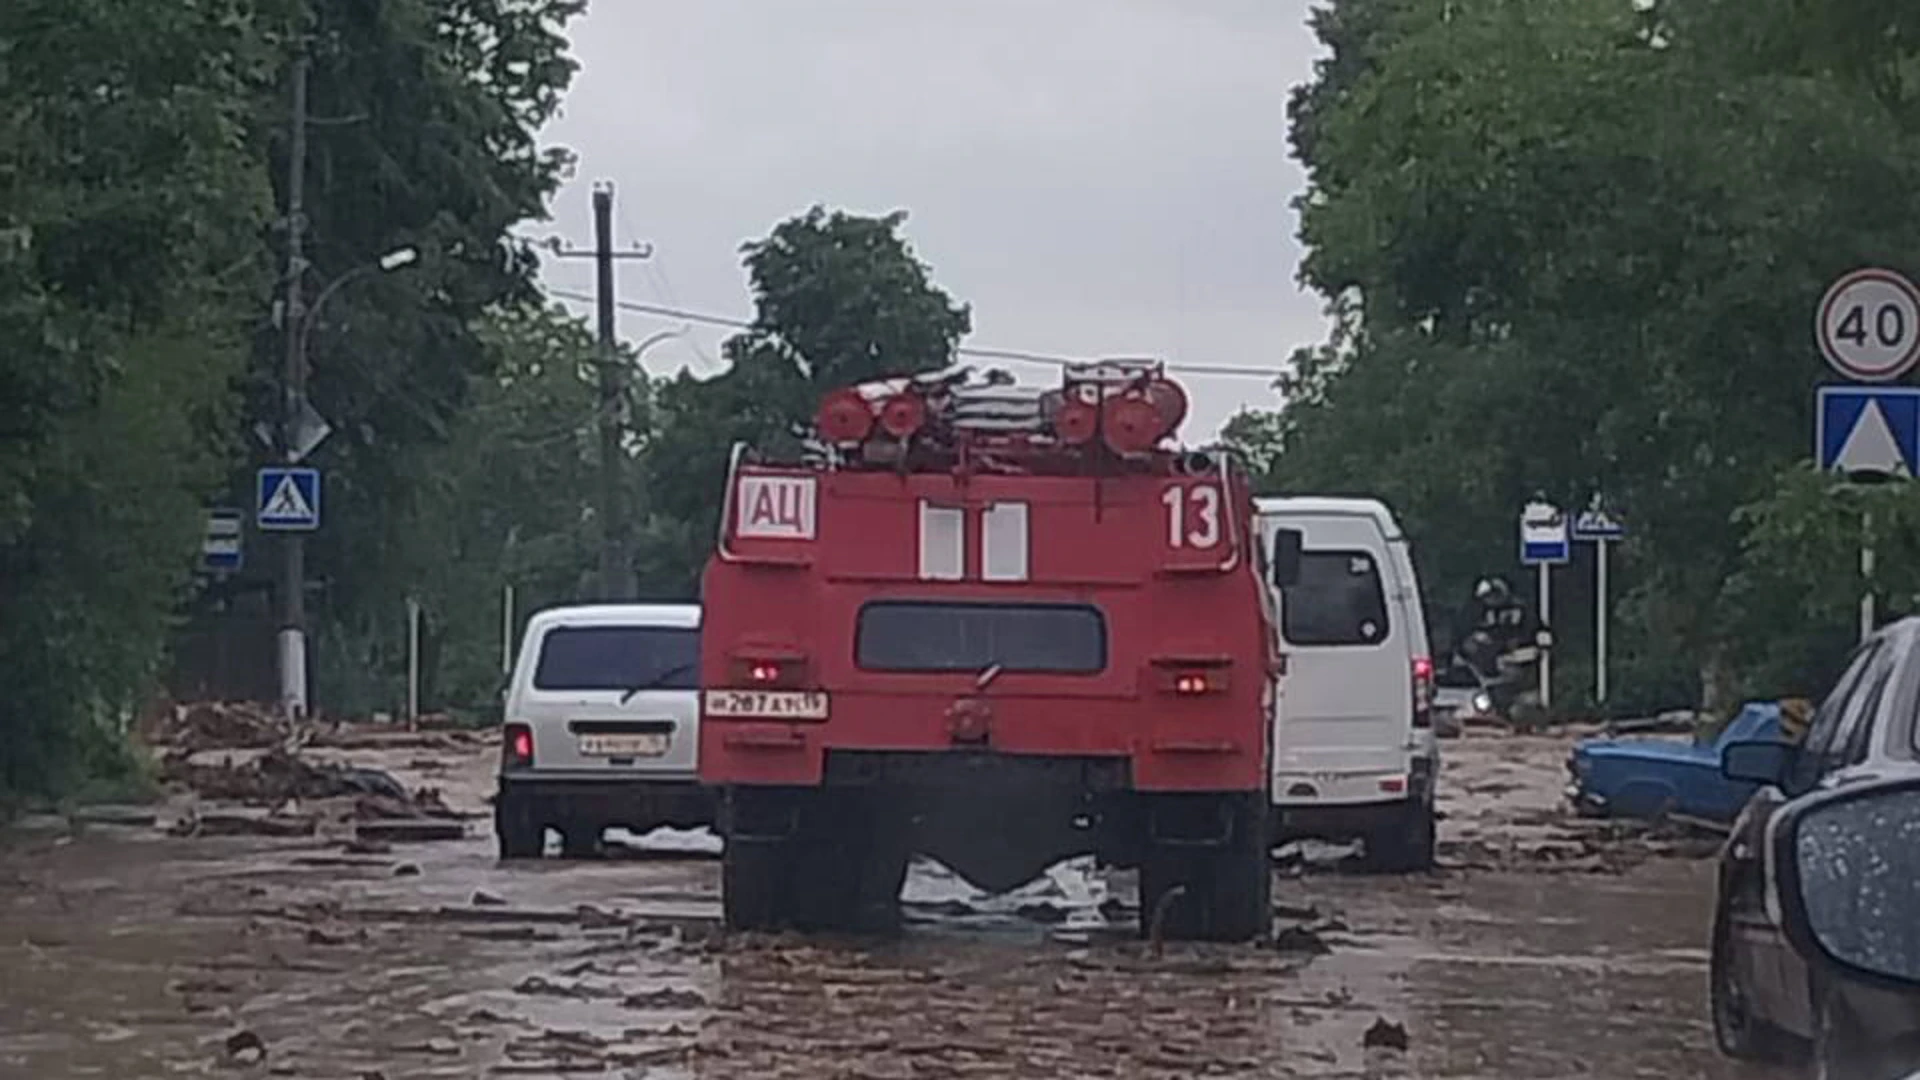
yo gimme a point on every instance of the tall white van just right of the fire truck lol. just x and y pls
(1355, 750)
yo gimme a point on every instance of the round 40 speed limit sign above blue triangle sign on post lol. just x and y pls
(1869, 331)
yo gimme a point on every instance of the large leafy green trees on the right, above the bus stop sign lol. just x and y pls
(1585, 260)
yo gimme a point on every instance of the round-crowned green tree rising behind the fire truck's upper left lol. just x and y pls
(838, 301)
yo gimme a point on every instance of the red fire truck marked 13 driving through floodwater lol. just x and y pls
(997, 627)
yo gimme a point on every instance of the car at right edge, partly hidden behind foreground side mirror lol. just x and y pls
(1773, 996)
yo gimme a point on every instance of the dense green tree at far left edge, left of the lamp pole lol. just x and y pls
(130, 218)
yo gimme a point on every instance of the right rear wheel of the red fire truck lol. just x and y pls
(1228, 891)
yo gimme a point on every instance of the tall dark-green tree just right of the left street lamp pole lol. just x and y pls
(425, 134)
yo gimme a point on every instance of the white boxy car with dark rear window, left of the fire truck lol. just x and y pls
(602, 727)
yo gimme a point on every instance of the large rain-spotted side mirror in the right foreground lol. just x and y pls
(1848, 864)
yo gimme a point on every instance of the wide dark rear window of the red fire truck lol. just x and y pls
(900, 635)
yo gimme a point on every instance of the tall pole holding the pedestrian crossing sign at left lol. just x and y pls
(295, 393)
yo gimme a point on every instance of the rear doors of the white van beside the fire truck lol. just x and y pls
(1347, 706)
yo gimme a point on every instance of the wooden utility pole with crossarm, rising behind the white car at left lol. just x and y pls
(615, 570)
